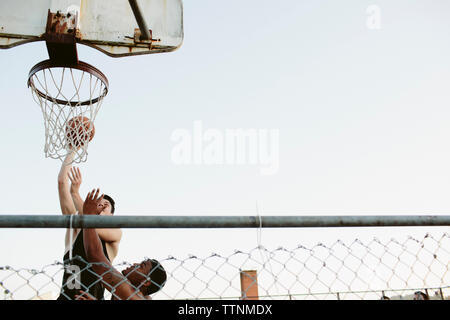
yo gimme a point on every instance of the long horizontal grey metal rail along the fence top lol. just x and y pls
(80, 221)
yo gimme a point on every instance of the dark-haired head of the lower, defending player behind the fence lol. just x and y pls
(149, 276)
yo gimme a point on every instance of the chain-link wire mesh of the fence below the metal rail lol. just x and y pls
(369, 269)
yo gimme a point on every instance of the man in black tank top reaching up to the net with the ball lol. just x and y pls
(76, 275)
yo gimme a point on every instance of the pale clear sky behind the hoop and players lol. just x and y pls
(363, 119)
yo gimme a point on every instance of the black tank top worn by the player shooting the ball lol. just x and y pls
(90, 281)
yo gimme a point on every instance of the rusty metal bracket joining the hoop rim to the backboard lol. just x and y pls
(60, 37)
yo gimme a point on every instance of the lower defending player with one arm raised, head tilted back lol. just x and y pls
(134, 283)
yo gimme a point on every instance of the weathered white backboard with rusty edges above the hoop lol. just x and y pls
(111, 26)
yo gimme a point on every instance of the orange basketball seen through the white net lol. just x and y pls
(78, 131)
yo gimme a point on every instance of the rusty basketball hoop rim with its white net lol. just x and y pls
(70, 96)
